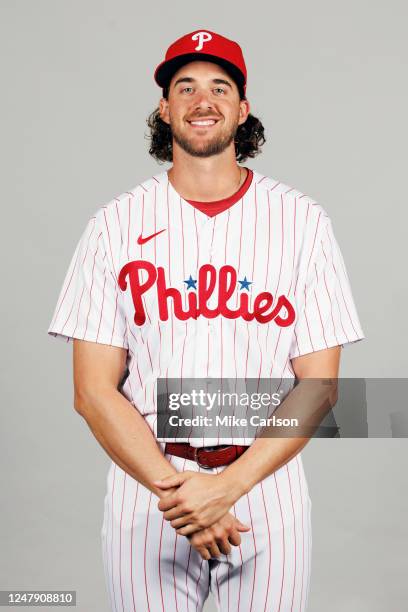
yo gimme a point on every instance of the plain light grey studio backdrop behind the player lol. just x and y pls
(328, 81)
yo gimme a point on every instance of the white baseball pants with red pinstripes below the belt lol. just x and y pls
(150, 568)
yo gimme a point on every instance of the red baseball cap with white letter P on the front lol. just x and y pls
(206, 46)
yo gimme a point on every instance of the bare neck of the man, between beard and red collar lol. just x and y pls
(206, 179)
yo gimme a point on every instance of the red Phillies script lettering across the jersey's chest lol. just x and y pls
(264, 309)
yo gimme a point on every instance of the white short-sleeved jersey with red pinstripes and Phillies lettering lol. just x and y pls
(235, 295)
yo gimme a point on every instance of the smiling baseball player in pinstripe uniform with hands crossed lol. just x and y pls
(207, 270)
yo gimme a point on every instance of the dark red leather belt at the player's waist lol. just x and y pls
(206, 457)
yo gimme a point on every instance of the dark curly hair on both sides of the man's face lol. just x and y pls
(248, 139)
